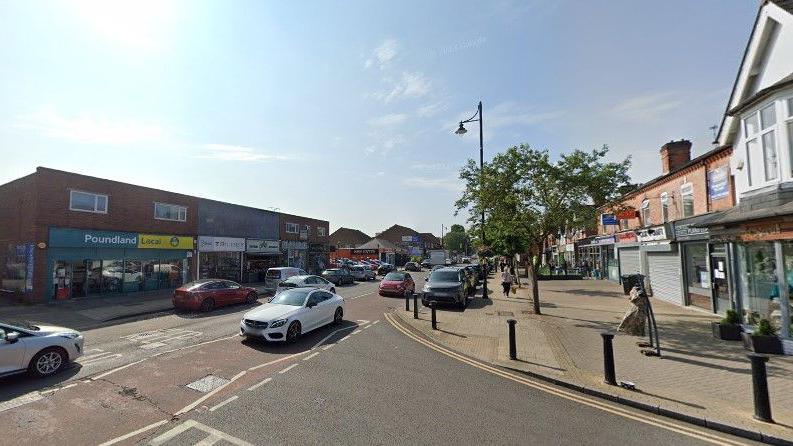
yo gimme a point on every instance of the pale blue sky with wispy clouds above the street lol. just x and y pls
(345, 111)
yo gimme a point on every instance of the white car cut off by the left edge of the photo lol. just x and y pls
(41, 350)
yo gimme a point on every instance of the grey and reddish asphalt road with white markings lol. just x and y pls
(367, 381)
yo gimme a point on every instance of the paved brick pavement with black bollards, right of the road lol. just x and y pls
(696, 375)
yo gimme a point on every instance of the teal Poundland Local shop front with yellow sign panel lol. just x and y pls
(88, 263)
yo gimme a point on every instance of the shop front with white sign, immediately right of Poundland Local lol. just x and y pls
(220, 257)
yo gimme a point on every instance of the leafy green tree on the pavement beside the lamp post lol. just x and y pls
(527, 196)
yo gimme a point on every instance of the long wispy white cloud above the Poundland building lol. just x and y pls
(85, 128)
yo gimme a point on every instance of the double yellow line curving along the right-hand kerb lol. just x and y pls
(575, 397)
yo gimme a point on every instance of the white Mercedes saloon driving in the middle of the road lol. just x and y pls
(292, 313)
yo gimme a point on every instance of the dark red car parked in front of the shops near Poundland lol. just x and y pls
(207, 294)
